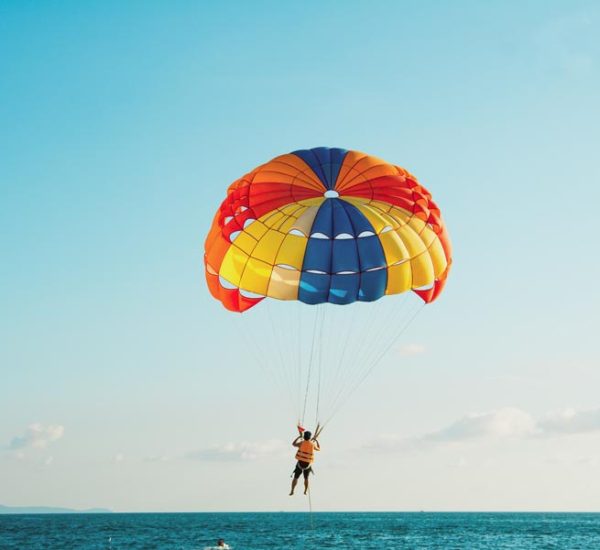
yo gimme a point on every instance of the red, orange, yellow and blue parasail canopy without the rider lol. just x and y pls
(326, 225)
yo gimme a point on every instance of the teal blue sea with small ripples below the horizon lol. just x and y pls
(305, 531)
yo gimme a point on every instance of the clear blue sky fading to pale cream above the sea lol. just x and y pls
(122, 125)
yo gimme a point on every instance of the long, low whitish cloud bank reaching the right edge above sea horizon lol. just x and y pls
(506, 423)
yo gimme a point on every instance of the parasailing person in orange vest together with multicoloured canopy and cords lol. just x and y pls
(325, 226)
